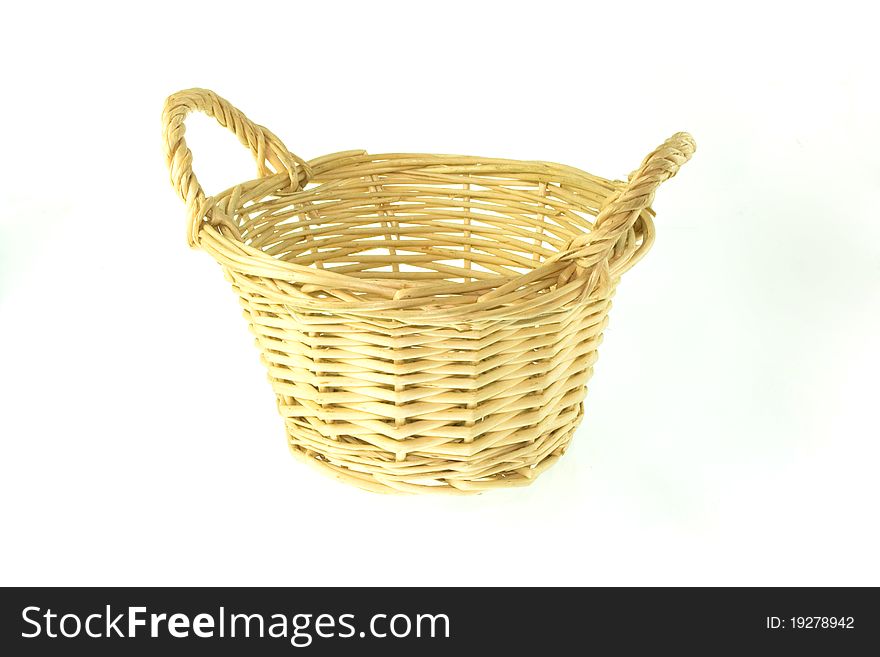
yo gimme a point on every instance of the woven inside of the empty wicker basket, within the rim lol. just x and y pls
(425, 219)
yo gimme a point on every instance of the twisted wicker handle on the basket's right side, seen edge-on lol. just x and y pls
(623, 210)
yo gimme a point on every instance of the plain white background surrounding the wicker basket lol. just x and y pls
(731, 426)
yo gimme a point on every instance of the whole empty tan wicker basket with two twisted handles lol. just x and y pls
(429, 322)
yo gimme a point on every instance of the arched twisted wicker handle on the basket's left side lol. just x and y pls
(270, 153)
